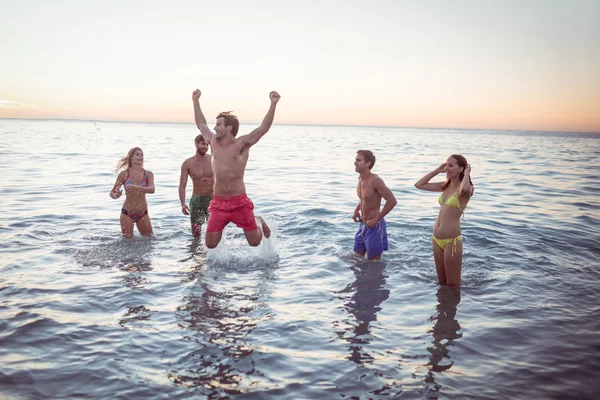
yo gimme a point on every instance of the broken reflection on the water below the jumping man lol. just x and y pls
(217, 317)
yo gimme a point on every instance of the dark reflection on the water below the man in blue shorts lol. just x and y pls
(367, 295)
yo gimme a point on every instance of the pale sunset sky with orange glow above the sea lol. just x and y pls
(495, 64)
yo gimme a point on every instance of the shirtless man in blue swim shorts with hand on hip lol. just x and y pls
(371, 238)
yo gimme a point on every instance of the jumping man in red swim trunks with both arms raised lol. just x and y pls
(230, 155)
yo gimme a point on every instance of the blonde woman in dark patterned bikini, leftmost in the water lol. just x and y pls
(137, 182)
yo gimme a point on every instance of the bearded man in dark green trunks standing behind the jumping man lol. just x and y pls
(199, 169)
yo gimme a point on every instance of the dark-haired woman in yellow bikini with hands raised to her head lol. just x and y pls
(446, 239)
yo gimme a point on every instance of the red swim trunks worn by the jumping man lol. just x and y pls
(236, 209)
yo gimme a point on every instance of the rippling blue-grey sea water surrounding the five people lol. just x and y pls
(87, 314)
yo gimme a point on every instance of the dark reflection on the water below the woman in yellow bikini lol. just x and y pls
(445, 331)
